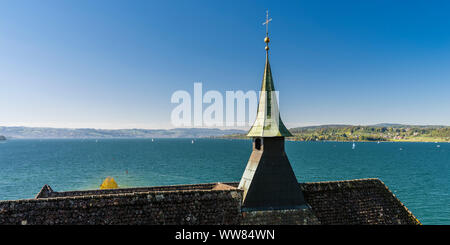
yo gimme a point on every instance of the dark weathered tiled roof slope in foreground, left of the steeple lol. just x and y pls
(153, 208)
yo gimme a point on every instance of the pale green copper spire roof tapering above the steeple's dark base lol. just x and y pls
(268, 121)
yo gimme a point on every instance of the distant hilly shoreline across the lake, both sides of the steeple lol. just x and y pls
(337, 133)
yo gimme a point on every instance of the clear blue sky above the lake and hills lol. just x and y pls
(115, 64)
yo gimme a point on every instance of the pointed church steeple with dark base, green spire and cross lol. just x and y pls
(268, 182)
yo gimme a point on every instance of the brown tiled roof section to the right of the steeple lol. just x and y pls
(361, 201)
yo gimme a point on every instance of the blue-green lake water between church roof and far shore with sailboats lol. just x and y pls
(418, 174)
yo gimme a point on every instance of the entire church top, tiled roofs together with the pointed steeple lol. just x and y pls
(268, 193)
